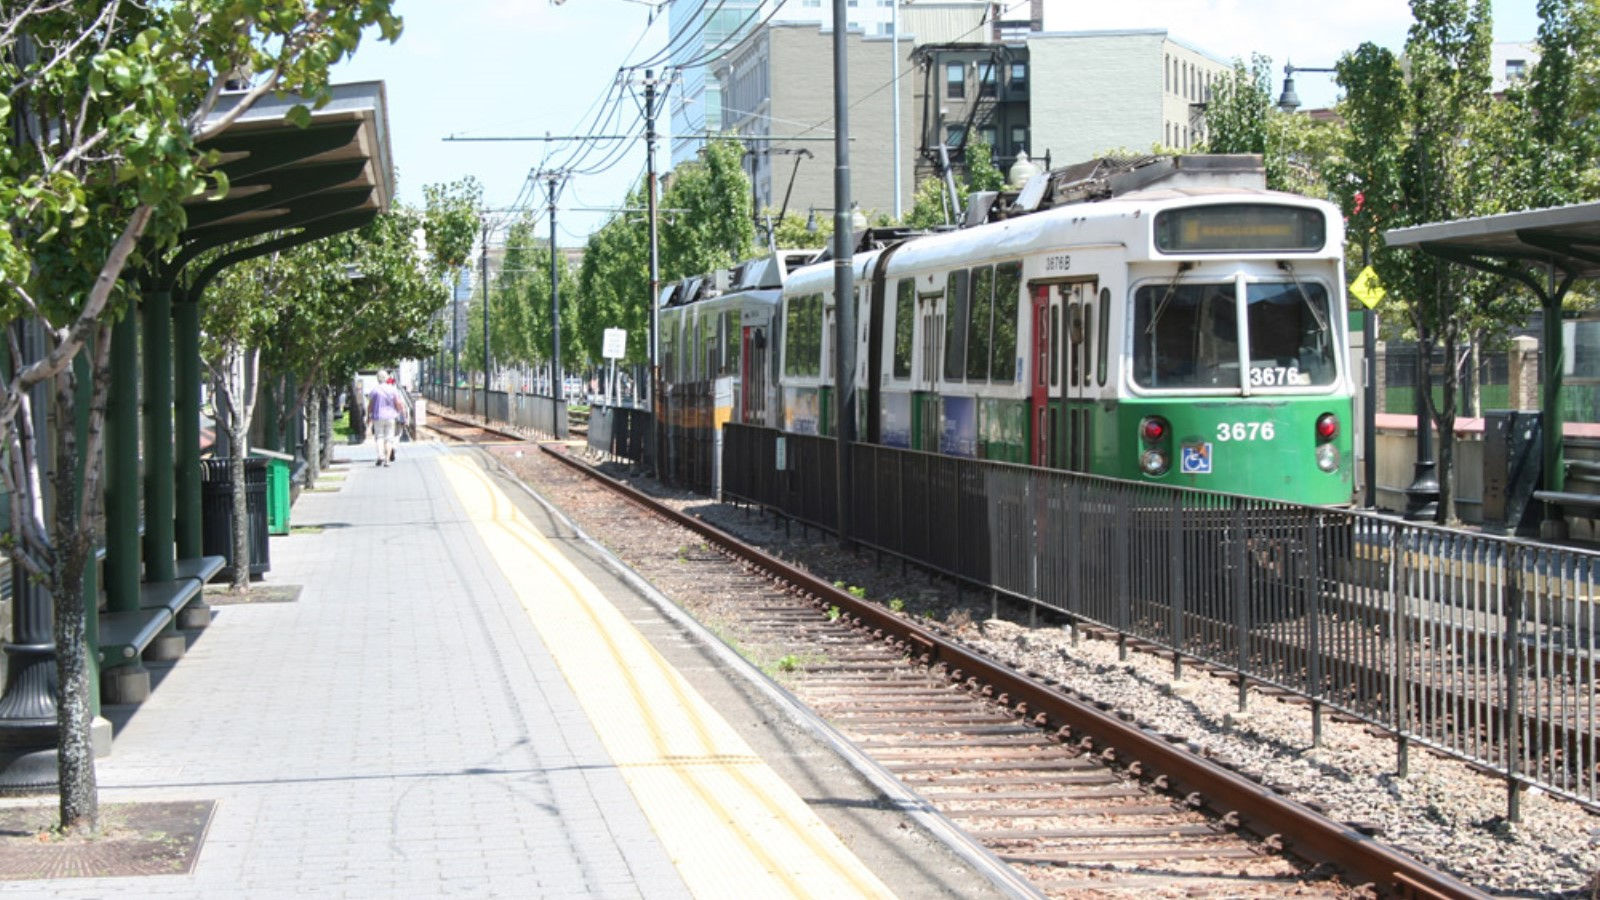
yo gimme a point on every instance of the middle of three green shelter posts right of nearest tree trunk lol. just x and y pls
(159, 542)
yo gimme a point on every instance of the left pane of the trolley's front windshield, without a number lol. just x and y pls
(1186, 335)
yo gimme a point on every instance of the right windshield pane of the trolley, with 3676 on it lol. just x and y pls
(1292, 342)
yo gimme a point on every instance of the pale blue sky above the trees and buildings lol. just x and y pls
(534, 68)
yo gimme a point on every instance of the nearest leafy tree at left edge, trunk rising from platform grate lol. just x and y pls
(108, 103)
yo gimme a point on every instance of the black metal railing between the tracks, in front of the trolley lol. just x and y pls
(1478, 646)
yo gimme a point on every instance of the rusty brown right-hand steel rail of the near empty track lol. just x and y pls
(1238, 800)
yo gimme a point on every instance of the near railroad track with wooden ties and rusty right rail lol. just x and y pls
(1074, 797)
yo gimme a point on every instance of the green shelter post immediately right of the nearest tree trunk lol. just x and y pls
(122, 470)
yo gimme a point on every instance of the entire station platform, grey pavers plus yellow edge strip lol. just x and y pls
(466, 701)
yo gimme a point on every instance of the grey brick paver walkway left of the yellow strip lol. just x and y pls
(399, 731)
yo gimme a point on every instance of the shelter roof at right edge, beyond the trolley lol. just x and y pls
(1566, 238)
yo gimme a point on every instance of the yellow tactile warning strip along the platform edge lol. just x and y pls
(730, 826)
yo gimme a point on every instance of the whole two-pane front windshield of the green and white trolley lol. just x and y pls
(1188, 335)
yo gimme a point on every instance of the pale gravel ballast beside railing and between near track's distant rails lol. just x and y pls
(1446, 813)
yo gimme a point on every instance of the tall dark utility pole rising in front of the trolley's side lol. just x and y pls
(844, 284)
